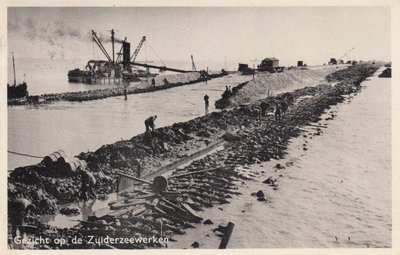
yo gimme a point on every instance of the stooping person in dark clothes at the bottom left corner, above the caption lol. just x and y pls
(18, 210)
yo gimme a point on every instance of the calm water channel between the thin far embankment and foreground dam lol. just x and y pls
(77, 127)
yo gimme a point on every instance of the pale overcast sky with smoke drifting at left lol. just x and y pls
(311, 34)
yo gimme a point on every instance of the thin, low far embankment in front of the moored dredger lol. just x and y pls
(174, 80)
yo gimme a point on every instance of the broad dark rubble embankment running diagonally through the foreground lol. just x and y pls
(142, 210)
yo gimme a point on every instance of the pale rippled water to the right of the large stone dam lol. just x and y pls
(340, 186)
